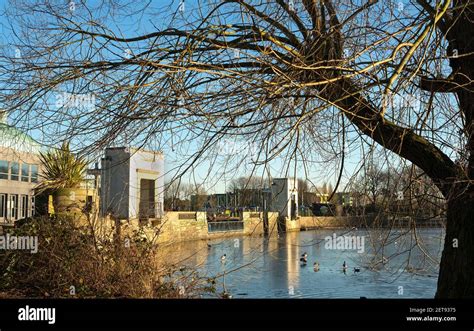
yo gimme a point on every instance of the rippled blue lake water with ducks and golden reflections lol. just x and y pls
(393, 264)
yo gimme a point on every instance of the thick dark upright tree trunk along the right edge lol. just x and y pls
(456, 275)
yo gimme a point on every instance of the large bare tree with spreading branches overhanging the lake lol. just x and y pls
(297, 80)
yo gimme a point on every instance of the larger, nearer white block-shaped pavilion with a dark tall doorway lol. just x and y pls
(132, 183)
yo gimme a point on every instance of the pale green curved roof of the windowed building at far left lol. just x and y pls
(11, 137)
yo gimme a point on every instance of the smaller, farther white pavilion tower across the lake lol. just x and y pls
(285, 197)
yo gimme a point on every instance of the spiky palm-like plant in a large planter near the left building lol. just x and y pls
(61, 169)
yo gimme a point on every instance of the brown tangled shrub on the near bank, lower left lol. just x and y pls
(76, 260)
